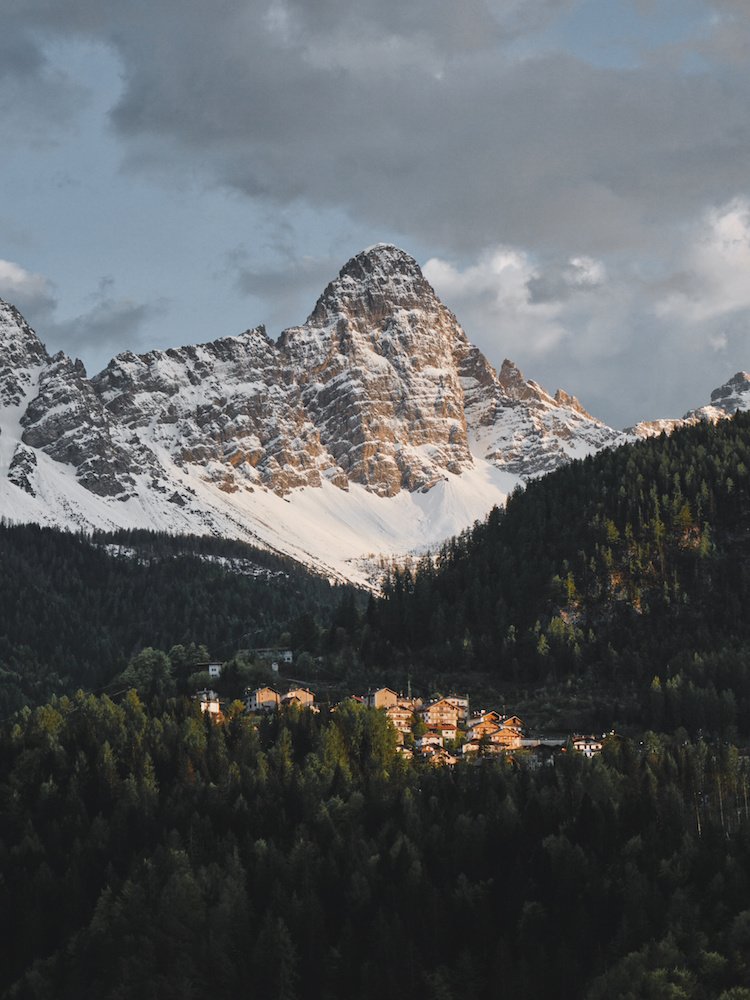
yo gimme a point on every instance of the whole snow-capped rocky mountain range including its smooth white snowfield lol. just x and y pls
(373, 429)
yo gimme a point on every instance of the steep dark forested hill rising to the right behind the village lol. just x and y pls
(627, 569)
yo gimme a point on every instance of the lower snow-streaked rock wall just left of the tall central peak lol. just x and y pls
(228, 406)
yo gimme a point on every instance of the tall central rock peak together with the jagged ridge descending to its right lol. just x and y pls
(400, 395)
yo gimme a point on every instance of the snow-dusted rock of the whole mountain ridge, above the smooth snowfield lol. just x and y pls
(380, 387)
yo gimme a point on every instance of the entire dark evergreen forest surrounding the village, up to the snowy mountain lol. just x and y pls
(149, 851)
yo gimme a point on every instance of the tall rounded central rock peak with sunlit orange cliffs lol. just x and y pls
(376, 364)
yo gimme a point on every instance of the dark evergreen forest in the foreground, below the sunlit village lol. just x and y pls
(148, 852)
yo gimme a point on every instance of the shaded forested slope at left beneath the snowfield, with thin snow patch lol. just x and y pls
(74, 609)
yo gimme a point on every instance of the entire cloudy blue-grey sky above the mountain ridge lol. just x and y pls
(573, 175)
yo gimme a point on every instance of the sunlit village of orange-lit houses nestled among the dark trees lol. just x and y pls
(441, 730)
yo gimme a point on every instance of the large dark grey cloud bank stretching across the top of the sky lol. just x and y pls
(393, 114)
